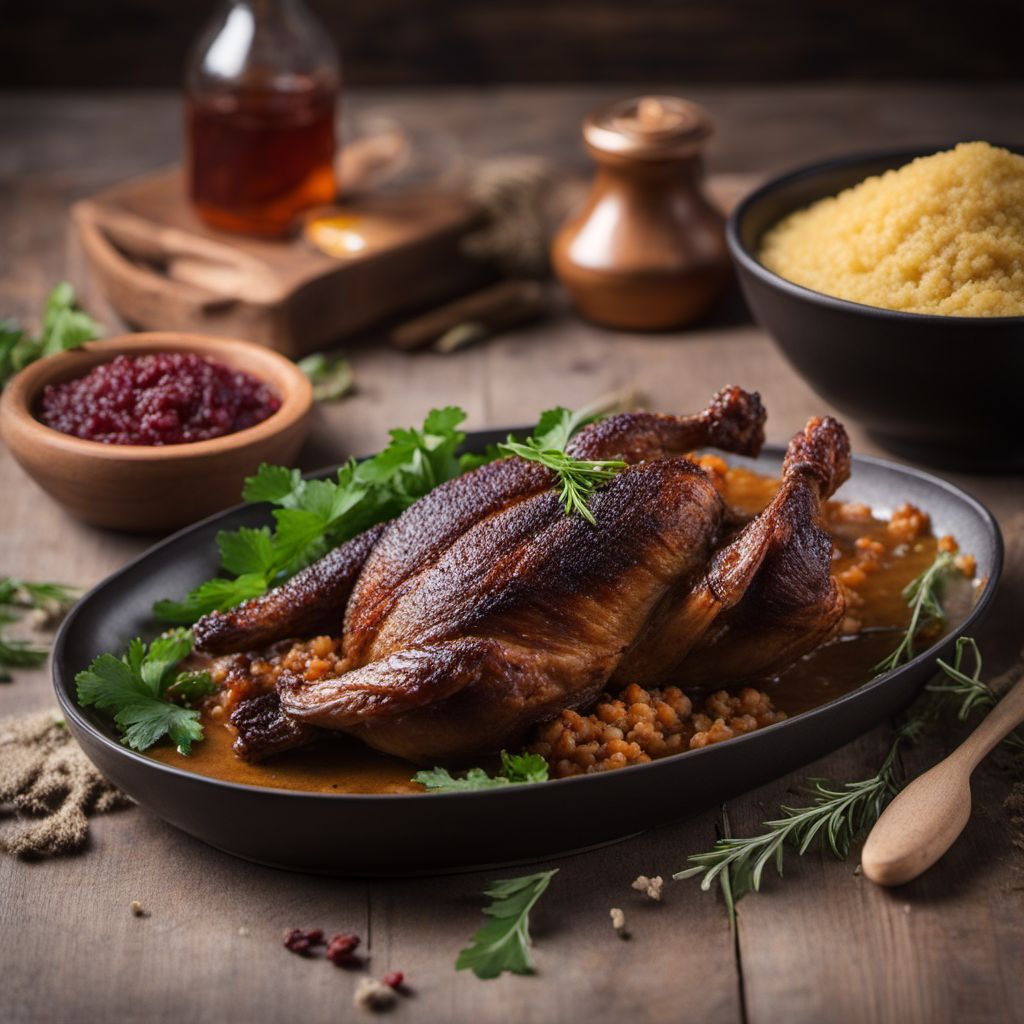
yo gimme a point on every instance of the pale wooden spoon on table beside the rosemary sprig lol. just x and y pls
(924, 821)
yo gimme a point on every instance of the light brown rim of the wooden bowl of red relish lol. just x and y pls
(290, 383)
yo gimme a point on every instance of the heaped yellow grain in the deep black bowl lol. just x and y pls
(944, 235)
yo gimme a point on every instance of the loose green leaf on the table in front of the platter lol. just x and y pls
(503, 944)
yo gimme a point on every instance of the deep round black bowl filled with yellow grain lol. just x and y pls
(941, 390)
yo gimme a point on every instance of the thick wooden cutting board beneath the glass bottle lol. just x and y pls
(141, 250)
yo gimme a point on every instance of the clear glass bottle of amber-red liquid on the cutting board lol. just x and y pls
(262, 88)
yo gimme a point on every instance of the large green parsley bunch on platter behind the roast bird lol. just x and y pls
(314, 517)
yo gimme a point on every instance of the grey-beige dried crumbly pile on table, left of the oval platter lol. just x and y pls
(49, 788)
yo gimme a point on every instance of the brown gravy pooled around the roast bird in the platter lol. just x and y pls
(346, 766)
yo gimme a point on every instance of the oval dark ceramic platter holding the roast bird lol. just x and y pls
(432, 834)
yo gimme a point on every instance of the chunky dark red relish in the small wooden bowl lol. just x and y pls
(165, 399)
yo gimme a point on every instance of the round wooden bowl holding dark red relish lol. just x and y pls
(144, 488)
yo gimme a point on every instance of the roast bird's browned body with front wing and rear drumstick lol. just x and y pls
(485, 610)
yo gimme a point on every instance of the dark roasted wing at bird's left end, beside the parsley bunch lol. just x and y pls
(312, 603)
